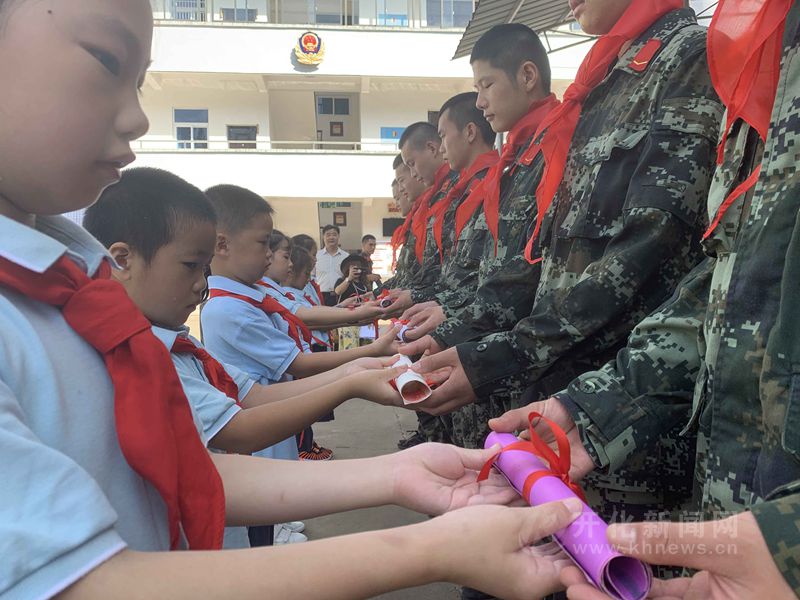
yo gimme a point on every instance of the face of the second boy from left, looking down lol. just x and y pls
(171, 286)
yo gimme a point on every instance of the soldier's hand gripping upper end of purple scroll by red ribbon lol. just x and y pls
(517, 420)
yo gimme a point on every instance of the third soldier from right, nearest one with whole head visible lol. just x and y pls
(512, 74)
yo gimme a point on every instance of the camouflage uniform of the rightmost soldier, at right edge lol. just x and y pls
(722, 354)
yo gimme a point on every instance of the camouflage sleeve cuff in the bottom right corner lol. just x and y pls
(779, 521)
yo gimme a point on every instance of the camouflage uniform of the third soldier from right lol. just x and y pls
(506, 284)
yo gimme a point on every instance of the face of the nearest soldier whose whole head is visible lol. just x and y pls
(503, 101)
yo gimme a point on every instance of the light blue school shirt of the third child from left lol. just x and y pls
(245, 336)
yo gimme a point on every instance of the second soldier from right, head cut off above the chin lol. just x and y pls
(622, 229)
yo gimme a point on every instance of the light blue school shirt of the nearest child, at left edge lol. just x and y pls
(70, 501)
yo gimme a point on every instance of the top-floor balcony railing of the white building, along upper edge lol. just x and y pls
(414, 14)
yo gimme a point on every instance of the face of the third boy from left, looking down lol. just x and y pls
(247, 252)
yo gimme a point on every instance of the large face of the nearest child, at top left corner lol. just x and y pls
(70, 74)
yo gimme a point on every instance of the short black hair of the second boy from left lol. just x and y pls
(145, 210)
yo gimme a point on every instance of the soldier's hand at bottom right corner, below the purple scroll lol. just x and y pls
(731, 555)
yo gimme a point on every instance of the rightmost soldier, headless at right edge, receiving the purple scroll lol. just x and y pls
(720, 358)
